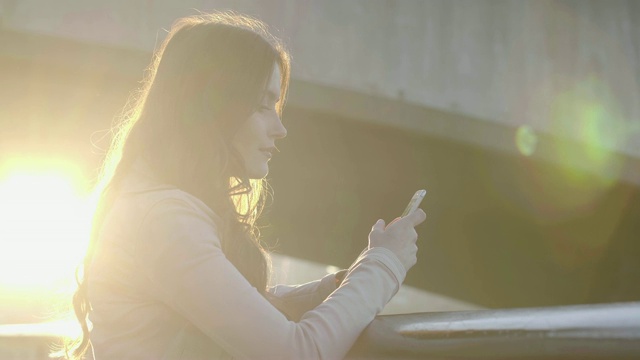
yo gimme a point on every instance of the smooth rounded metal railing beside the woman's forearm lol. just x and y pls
(603, 331)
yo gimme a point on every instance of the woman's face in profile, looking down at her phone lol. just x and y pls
(255, 139)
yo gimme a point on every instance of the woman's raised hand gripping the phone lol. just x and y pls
(399, 236)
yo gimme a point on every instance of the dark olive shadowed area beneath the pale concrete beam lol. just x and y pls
(481, 242)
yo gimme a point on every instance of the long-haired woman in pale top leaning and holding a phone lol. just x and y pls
(174, 268)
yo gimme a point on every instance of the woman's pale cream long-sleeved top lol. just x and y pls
(161, 287)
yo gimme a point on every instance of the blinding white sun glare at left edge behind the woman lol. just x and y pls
(44, 224)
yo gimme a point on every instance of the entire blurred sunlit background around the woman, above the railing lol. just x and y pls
(521, 119)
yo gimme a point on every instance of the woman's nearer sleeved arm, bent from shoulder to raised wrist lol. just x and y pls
(180, 254)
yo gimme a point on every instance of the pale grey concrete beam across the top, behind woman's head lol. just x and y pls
(569, 68)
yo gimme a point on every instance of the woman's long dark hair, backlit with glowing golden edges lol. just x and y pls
(207, 77)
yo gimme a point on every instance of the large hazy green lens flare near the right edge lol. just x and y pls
(580, 159)
